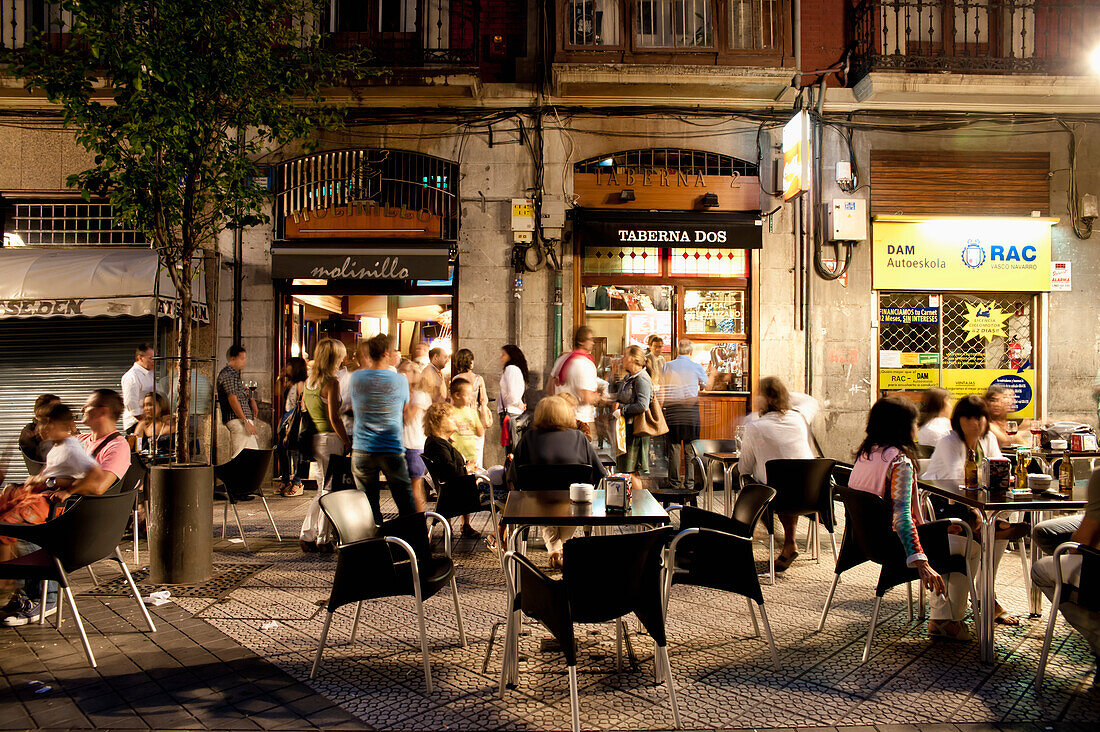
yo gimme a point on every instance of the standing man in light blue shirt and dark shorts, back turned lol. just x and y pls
(684, 378)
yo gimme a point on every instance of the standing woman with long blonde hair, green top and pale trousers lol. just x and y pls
(322, 401)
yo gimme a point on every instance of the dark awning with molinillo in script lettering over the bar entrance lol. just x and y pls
(358, 263)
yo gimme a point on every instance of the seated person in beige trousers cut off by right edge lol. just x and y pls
(1043, 572)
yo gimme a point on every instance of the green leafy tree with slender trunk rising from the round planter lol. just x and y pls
(178, 100)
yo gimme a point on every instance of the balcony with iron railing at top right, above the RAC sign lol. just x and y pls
(980, 37)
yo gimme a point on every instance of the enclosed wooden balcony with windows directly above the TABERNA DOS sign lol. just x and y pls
(736, 32)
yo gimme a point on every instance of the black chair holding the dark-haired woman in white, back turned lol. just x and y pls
(804, 488)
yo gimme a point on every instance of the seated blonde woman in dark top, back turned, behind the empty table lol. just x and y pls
(553, 441)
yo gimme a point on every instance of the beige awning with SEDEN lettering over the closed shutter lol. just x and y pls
(65, 283)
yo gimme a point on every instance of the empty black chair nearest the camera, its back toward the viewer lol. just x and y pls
(603, 580)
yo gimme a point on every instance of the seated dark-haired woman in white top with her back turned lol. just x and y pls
(779, 434)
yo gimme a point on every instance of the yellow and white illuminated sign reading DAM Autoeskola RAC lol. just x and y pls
(962, 255)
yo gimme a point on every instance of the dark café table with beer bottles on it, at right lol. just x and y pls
(989, 509)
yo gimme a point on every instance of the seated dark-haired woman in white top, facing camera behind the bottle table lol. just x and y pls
(971, 433)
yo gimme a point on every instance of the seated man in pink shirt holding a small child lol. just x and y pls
(111, 453)
